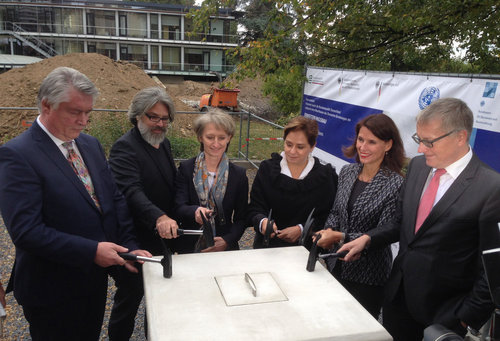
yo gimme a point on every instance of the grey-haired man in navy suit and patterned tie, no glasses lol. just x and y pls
(64, 213)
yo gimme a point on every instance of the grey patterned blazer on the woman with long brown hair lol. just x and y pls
(373, 207)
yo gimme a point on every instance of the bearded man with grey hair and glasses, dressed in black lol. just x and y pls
(144, 170)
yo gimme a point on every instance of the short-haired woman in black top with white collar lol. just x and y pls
(292, 184)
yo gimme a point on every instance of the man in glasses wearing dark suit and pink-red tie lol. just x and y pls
(437, 276)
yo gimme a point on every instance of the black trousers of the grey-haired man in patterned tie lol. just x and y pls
(78, 320)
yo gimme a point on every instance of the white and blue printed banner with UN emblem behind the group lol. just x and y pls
(338, 99)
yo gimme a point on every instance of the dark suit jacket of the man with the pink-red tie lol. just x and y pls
(440, 266)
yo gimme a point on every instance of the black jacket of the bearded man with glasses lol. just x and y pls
(147, 185)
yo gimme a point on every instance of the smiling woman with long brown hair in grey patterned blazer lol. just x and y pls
(366, 198)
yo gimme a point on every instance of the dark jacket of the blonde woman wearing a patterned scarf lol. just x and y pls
(235, 205)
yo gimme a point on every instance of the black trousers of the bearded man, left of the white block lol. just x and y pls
(128, 296)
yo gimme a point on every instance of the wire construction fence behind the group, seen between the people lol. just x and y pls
(255, 138)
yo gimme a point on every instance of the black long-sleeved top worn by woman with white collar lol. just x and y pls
(291, 200)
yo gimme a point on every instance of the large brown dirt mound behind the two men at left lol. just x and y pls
(117, 82)
